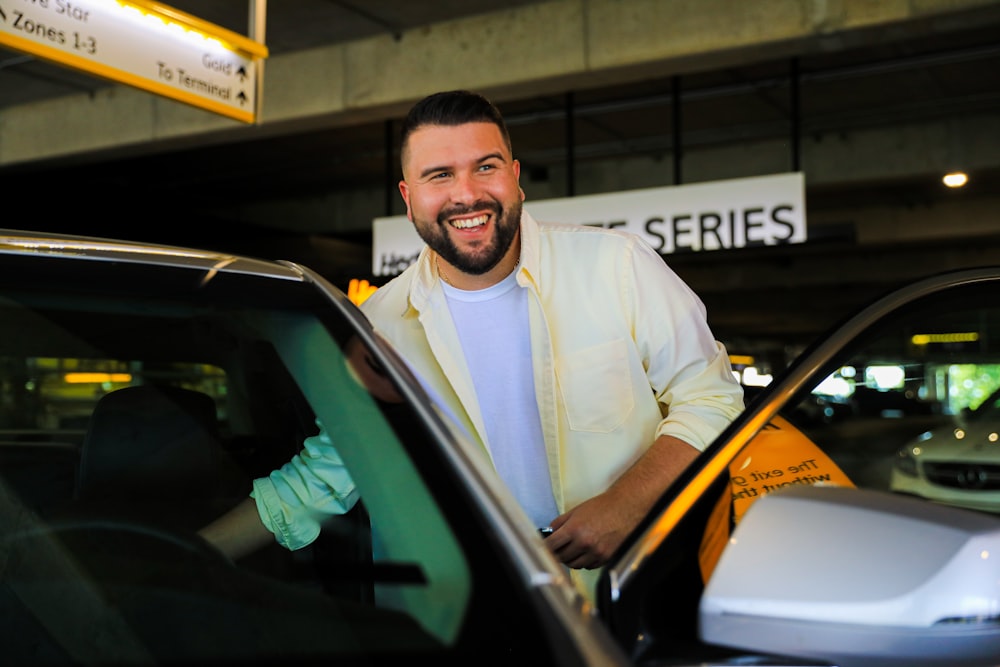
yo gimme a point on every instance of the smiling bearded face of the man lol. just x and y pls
(460, 185)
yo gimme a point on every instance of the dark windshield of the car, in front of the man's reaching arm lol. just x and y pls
(138, 403)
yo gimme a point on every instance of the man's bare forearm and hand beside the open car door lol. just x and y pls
(588, 535)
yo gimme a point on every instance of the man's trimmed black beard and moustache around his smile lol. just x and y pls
(508, 222)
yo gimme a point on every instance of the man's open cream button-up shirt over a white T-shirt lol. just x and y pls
(621, 348)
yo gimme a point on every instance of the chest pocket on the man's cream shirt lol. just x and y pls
(596, 387)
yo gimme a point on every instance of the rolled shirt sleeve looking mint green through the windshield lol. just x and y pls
(294, 500)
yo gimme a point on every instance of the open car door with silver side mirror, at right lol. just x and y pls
(833, 535)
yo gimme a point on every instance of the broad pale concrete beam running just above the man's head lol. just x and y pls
(540, 48)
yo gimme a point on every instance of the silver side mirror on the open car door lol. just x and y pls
(858, 577)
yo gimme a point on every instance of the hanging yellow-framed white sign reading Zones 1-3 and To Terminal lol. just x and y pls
(142, 44)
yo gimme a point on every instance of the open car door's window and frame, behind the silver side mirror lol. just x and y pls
(903, 401)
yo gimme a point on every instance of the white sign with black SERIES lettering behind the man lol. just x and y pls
(717, 215)
